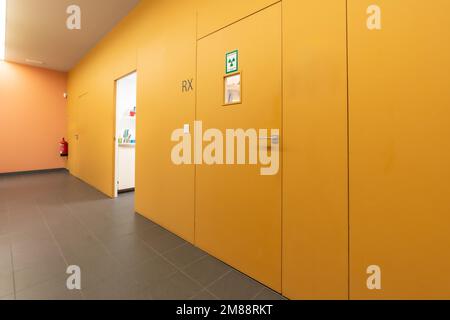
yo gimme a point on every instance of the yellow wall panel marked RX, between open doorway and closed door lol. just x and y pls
(164, 191)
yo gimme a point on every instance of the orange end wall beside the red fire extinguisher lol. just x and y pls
(32, 118)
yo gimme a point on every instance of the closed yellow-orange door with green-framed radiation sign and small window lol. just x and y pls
(238, 210)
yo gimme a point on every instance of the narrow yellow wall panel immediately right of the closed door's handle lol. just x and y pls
(315, 211)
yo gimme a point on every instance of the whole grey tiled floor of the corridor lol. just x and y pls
(49, 221)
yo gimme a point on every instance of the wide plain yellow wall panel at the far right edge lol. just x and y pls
(400, 149)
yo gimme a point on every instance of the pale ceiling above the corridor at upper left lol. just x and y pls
(36, 30)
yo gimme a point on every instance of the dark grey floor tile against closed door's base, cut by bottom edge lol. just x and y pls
(236, 286)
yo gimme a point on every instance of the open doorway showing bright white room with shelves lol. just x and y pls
(126, 88)
